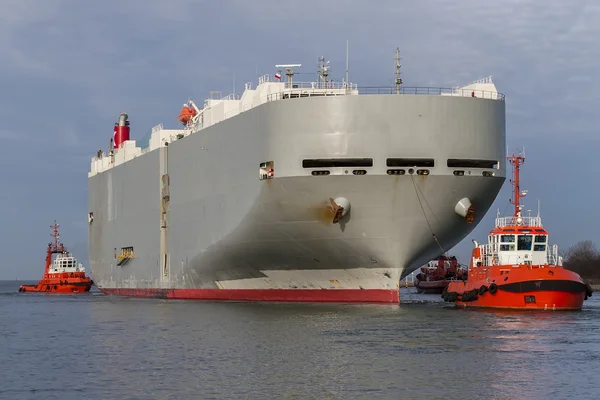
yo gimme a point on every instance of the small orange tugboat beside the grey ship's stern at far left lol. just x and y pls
(63, 274)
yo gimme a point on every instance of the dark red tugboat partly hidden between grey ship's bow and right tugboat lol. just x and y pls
(437, 274)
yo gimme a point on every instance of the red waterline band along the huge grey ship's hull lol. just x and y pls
(283, 295)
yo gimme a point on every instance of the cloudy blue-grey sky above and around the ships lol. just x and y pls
(70, 67)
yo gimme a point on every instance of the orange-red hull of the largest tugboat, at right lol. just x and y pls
(525, 288)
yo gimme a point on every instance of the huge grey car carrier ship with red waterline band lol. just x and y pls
(319, 191)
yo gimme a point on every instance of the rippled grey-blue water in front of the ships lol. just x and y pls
(98, 347)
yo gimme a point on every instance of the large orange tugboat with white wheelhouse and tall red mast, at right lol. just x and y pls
(517, 268)
